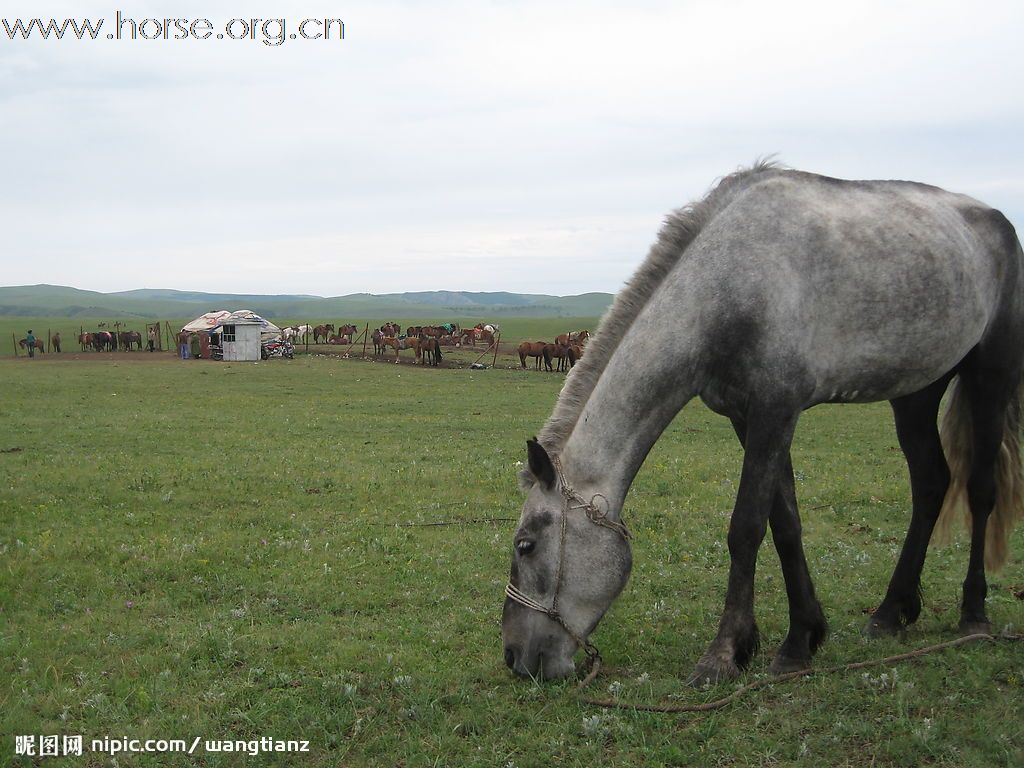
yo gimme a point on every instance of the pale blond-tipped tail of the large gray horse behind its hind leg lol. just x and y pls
(958, 435)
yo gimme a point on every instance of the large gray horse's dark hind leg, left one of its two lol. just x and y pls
(919, 439)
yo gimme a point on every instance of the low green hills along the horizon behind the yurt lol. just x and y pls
(61, 302)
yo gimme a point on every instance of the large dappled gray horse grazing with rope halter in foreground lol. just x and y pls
(790, 290)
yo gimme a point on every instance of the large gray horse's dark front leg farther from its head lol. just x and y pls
(807, 621)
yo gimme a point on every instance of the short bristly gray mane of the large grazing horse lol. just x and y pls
(680, 229)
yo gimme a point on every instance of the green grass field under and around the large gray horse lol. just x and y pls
(236, 551)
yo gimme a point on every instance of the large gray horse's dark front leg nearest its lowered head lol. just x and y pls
(767, 448)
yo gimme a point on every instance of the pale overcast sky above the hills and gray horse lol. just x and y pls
(503, 146)
